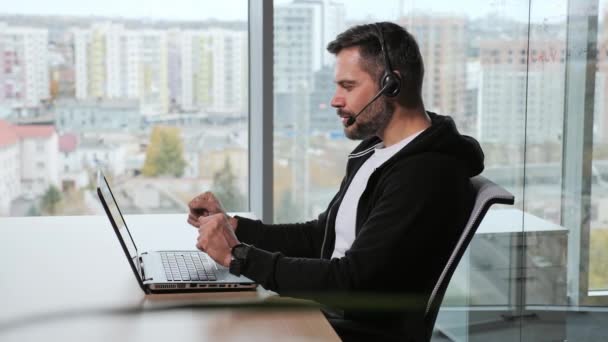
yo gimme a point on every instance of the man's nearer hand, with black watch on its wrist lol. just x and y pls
(216, 238)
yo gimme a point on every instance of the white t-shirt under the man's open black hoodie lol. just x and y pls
(347, 213)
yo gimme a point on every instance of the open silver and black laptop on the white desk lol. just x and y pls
(168, 271)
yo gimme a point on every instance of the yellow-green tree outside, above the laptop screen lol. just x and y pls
(164, 155)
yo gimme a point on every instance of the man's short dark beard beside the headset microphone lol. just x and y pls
(371, 122)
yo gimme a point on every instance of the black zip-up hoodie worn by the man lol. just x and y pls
(408, 220)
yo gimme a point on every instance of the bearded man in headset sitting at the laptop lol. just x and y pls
(400, 209)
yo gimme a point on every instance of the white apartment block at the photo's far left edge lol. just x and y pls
(24, 72)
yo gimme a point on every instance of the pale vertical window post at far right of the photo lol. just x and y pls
(582, 34)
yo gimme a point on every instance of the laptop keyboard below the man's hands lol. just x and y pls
(188, 266)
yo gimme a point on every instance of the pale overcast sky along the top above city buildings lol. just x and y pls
(237, 9)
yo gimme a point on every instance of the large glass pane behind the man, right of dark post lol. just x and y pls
(527, 80)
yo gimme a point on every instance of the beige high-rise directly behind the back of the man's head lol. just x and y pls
(443, 45)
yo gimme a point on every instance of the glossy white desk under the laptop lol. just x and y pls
(66, 278)
